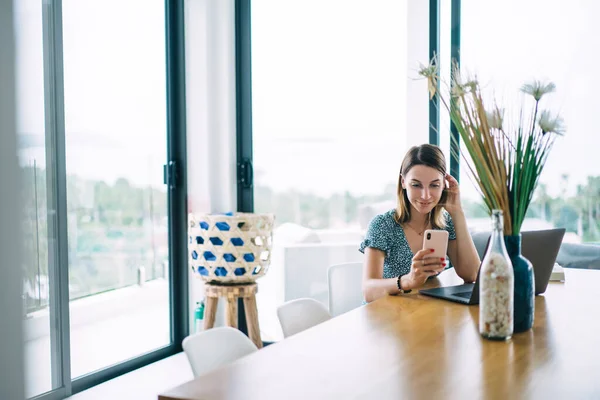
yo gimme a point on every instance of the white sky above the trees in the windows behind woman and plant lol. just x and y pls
(336, 81)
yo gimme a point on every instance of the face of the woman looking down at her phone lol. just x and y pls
(424, 187)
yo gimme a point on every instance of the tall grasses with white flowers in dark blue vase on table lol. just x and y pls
(504, 158)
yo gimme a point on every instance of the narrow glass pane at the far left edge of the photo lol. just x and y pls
(34, 197)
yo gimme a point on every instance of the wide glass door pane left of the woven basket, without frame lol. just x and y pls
(115, 122)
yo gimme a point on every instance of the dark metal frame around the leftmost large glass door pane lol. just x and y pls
(62, 383)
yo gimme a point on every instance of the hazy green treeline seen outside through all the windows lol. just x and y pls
(113, 231)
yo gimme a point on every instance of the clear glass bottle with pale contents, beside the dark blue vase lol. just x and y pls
(496, 286)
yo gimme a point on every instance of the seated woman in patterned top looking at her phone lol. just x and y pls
(428, 198)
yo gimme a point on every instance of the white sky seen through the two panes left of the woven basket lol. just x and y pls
(115, 88)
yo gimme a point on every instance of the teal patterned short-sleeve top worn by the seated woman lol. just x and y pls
(385, 234)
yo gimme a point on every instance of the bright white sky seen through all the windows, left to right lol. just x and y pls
(329, 85)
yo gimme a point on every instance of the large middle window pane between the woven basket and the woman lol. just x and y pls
(329, 108)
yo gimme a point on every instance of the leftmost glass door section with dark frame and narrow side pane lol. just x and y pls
(98, 112)
